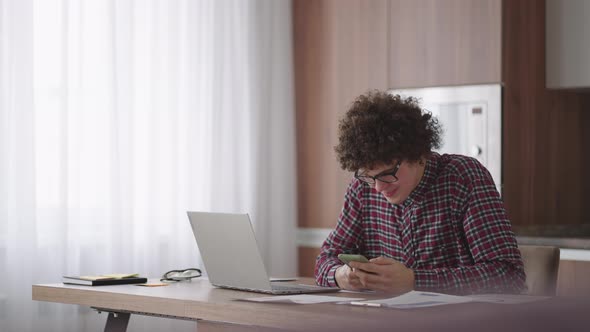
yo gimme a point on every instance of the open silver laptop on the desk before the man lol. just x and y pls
(231, 256)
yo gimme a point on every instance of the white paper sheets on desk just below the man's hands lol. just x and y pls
(415, 299)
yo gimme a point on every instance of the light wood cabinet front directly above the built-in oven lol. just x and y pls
(448, 42)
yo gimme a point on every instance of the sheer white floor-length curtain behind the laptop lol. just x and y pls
(116, 117)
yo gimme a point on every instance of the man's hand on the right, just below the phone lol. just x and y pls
(384, 274)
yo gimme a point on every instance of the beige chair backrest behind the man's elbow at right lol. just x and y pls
(541, 264)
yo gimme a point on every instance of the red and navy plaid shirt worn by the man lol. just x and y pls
(452, 231)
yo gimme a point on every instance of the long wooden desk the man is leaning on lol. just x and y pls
(217, 309)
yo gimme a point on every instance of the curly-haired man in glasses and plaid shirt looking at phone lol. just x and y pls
(426, 221)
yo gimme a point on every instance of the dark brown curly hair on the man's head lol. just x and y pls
(380, 127)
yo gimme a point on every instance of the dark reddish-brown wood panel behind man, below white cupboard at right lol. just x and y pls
(545, 136)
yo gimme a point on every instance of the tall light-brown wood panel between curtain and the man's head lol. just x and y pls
(340, 52)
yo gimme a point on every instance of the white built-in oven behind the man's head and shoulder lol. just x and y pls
(471, 117)
